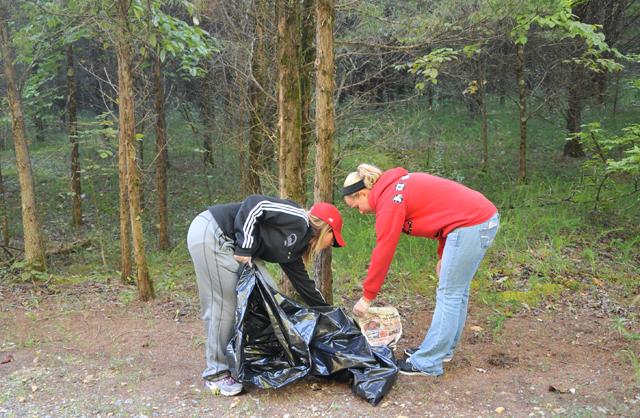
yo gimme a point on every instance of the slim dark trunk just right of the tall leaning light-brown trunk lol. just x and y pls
(161, 163)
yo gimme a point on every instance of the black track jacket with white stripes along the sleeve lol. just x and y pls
(274, 230)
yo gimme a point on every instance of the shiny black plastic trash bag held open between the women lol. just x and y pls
(278, 341)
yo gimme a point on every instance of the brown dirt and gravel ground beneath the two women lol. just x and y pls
(78, 351)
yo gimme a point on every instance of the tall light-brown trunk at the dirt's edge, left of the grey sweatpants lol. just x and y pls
(127, 140)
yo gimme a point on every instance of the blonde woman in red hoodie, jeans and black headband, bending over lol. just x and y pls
(462, 220)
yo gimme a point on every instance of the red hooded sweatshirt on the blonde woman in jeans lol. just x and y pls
(422, 205)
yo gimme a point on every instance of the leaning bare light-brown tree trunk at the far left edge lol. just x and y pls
(33, 240)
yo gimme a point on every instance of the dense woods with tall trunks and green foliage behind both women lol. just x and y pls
(123, 119)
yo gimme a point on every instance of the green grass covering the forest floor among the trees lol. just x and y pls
(549, 241)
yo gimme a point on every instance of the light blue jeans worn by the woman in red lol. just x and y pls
(464, 249)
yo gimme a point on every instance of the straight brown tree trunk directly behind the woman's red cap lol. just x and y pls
(325, 128)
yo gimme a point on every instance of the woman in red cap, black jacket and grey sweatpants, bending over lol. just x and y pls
(224, 237)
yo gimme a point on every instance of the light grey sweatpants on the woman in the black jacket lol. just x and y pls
(217, 275)
